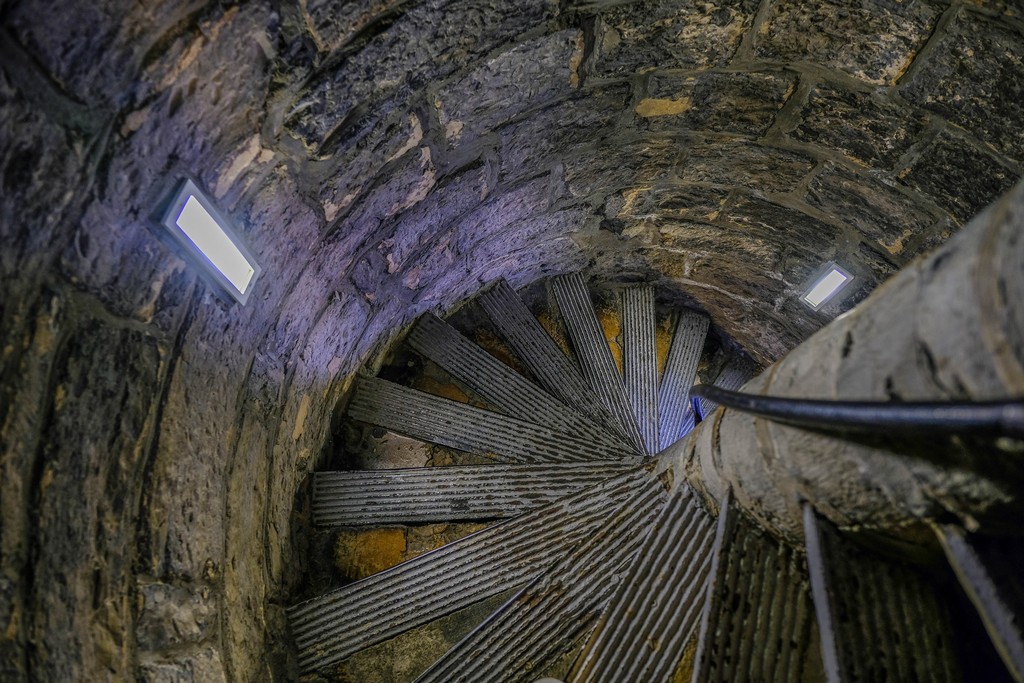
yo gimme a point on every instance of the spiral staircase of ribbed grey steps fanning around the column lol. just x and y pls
(600, 564)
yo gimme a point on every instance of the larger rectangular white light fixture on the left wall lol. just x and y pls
(204, 233)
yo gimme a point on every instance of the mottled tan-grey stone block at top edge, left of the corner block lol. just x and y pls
(873, 41)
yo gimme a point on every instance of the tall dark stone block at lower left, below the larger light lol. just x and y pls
(101, 421)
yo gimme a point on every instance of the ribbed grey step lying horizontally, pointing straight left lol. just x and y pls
(383, 498)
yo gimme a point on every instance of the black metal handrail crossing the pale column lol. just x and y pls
(1004, 418)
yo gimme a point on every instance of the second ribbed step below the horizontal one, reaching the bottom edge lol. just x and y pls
(536, 628)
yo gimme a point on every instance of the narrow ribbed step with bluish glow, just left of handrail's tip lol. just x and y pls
(676, 416)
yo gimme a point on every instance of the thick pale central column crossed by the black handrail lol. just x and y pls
(949, 327)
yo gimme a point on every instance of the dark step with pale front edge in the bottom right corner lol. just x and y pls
(990, 570)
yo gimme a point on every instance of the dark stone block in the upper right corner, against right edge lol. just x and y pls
(975, 78)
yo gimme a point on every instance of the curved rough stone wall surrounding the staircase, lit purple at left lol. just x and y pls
(382, 158)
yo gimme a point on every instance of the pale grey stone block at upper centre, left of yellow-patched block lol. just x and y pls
(530, 76)
